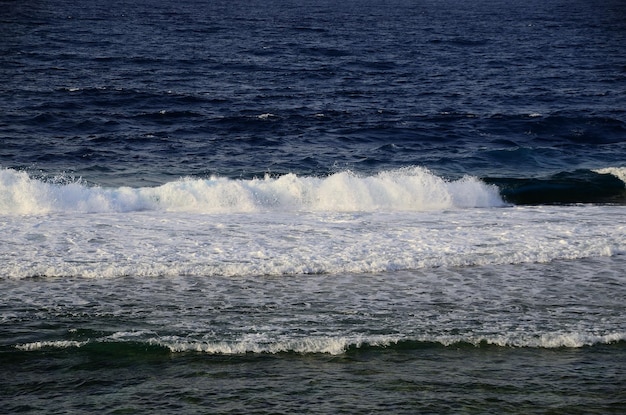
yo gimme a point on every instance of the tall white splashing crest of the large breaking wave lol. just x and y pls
(409, 189)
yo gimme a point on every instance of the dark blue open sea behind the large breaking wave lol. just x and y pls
(131, 93)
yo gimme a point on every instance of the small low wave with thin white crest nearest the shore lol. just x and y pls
(331, 345)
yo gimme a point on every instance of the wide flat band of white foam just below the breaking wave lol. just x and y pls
(156, 243)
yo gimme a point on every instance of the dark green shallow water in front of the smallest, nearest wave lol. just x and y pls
(435, 379)
